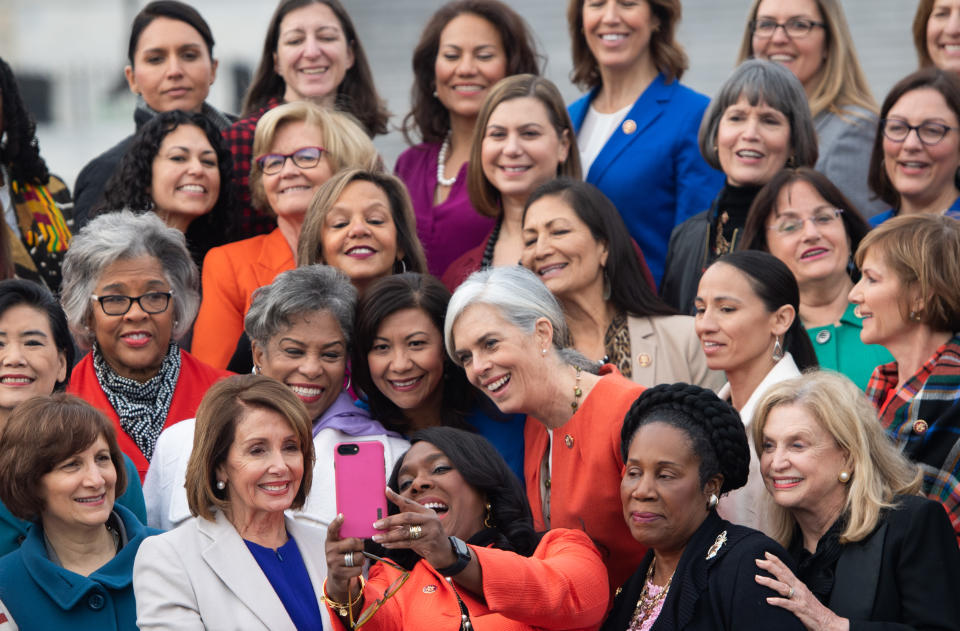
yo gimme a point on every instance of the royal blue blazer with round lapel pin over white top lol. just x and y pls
(655, 175)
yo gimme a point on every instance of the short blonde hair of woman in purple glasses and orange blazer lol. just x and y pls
(345, 143)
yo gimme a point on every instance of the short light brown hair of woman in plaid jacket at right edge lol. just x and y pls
(922, 250)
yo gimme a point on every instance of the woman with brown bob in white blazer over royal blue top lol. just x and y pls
(240, 563)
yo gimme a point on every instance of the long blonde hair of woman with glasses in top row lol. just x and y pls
(842, 81)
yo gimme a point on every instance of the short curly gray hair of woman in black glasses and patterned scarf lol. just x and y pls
(118, 236)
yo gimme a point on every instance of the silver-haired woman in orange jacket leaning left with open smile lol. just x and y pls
(507, 331)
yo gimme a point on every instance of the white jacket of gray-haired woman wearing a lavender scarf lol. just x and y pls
(166, 497)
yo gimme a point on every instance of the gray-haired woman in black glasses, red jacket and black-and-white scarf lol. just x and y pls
(130, 291)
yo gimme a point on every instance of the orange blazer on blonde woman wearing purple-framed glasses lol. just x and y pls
(231, 273)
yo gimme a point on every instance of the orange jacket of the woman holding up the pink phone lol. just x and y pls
(562, 586)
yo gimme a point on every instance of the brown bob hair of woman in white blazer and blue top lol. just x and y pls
(226, 403)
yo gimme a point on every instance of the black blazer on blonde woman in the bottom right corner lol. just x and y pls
(904, 575)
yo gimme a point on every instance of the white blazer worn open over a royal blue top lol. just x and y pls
(202, 576)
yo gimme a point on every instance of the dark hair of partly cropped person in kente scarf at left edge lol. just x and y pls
(20, 152)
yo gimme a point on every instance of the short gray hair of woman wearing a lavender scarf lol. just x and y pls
(298, 291)
